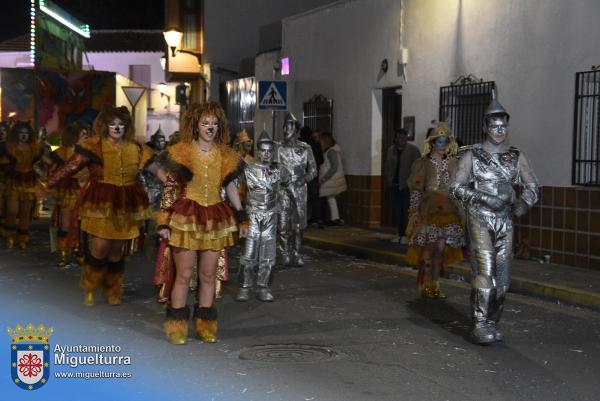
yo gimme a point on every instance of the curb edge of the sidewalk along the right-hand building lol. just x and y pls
(519, 285)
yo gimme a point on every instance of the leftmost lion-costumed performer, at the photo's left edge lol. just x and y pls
(22, 152)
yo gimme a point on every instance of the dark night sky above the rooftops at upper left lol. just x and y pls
(99, 14)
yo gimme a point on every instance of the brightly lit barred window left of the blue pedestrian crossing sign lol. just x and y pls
(239, 101)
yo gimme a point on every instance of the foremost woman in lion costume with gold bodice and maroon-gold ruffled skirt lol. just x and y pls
(196, 221)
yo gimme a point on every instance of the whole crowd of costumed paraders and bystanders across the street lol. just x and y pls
(200, 193)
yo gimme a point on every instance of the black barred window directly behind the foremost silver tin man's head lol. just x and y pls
(463, 102)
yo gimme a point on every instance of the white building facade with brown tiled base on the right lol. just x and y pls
(531, 50)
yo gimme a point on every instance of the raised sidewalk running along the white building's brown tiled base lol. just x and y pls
(567, 284)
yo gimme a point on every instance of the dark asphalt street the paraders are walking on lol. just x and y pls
(340, 329)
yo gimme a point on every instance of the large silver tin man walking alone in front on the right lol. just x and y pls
(484, 183)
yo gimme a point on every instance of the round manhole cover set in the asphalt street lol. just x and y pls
(296, 353)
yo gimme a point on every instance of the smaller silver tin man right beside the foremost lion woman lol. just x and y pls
(262, 180)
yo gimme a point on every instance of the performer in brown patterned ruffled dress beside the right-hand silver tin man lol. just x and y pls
(435, 225)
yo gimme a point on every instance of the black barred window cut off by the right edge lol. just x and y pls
(586, 128)
